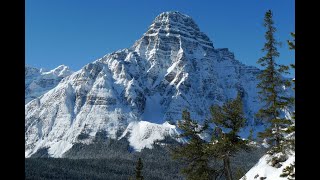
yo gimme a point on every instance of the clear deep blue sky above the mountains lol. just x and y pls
(77, 32)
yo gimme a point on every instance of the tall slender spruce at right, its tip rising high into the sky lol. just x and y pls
(271, 87)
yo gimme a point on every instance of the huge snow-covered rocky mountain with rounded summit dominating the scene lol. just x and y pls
(173, 66)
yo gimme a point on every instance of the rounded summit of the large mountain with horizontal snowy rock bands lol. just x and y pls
(173, 32)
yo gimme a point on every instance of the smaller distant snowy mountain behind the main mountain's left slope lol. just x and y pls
(40, 81)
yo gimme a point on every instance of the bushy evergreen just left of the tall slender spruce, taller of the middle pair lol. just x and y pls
(229, 116)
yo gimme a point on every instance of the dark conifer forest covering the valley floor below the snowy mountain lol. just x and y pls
(113, 159)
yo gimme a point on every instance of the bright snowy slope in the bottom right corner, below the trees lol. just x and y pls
(263, 169)
